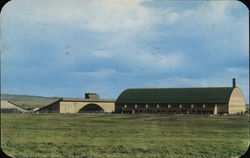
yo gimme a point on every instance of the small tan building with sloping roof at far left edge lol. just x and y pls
(9, 107)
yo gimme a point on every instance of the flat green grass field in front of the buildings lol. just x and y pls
(114, 136)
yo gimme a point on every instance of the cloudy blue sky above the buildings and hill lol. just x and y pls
(66, 48)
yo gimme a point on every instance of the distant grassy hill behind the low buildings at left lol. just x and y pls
(27, 101)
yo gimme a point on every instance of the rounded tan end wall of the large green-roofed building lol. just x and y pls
(236, 102)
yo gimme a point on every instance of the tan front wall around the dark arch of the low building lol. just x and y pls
(74, 107)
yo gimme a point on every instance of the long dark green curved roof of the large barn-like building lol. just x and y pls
(175, 95)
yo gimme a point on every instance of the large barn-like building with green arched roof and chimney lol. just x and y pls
(205, 100)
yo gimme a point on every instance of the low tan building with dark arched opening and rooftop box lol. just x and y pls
(91, 104)
